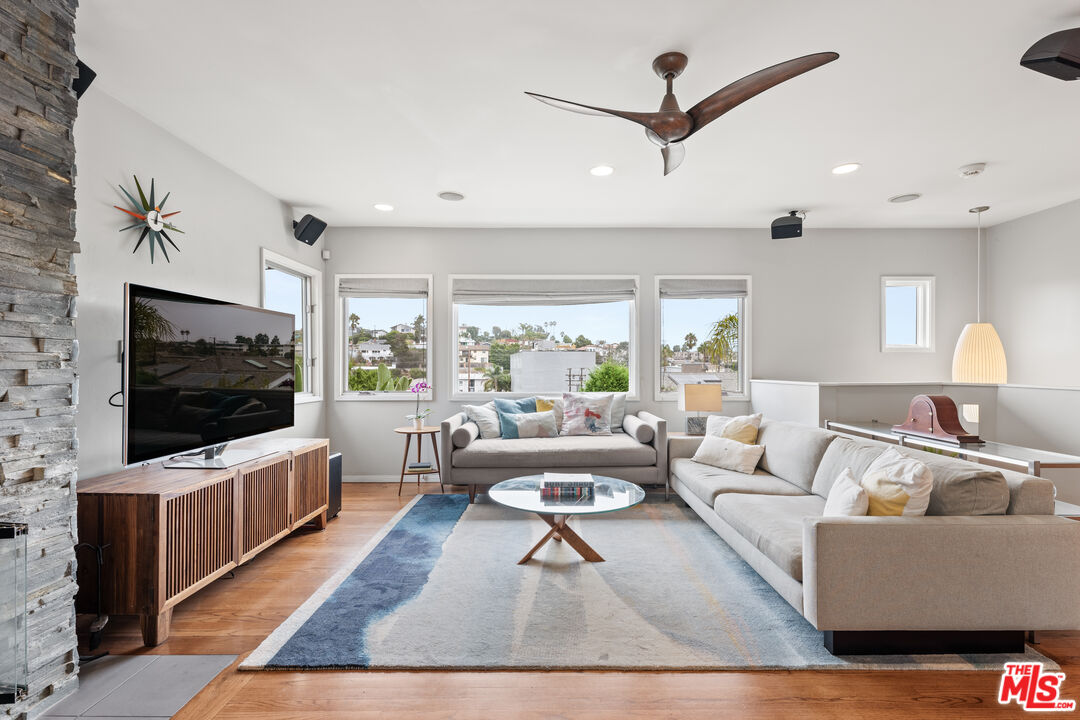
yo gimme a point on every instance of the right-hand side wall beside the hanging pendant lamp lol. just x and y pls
(1034, 295)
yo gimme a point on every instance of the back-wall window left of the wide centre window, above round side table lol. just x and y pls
(384, 339)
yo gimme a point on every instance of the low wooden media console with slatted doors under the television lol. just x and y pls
(170, 533)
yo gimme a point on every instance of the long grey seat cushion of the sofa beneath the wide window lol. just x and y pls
(618, 451)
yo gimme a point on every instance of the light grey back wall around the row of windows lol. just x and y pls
(816, 305)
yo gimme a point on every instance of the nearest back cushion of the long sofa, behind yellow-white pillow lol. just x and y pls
(963, 487)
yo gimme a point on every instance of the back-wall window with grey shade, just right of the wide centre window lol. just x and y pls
(704, 329)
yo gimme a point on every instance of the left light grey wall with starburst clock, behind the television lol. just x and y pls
(226, 221)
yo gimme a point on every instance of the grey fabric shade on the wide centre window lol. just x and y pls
(543, 291)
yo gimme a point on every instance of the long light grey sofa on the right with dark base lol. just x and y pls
(989, 562)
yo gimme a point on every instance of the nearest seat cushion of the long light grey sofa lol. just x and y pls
(773, 524)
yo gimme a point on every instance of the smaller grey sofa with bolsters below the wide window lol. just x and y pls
(467, 459)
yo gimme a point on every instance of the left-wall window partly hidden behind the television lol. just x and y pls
(293, 288)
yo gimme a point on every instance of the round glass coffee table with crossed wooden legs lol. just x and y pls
(523, 494)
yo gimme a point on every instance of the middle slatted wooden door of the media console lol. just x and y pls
(265, 517)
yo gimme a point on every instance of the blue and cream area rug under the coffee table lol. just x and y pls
(440, 588)
